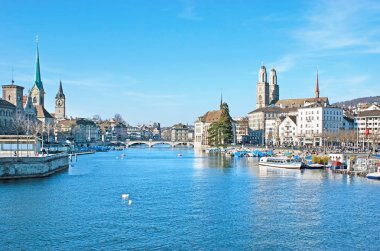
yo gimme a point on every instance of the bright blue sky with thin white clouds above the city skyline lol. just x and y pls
(167, 61)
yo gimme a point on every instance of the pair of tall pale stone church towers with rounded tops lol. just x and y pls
(267, 93)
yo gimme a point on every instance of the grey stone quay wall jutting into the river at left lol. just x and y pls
(32, 167)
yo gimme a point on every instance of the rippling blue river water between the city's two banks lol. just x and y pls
(190, 202)
